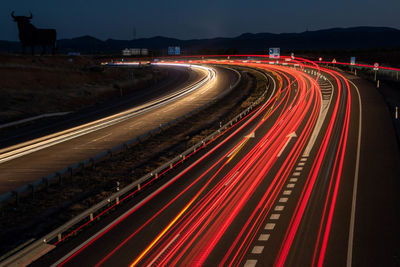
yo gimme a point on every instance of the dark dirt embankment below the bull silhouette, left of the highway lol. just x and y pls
(32, 85)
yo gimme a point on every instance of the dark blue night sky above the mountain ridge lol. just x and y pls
(194, 19)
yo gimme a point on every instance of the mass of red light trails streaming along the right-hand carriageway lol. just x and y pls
(251, 168)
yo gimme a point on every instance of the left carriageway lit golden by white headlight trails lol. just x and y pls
(30, 160)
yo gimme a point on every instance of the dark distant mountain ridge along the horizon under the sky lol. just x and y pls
(330, 39)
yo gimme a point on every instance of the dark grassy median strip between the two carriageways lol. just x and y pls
(47, 210)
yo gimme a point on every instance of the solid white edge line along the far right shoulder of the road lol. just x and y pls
(353, 204)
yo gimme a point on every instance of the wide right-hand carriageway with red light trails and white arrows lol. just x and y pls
(297, 182)
